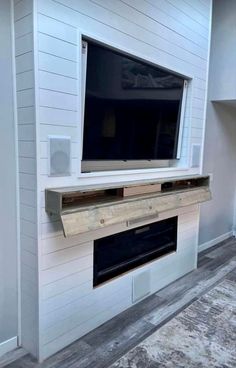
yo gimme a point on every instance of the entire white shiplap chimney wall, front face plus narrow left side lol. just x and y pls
(170, 33)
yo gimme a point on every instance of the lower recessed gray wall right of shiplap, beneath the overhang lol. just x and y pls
(216, 216)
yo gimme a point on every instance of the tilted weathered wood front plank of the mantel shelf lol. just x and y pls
(129, 210)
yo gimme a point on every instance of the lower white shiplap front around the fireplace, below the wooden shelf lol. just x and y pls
(70, 305)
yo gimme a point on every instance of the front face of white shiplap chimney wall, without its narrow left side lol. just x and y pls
(170, 33)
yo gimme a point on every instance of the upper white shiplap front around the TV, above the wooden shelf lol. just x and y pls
(171, 34)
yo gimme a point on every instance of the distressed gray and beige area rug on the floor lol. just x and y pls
(202, 335)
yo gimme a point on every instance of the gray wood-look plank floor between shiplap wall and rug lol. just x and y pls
(103, 346)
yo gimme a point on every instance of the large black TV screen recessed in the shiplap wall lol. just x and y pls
(132, 108)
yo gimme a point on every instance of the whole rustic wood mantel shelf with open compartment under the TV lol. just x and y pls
(88, 208)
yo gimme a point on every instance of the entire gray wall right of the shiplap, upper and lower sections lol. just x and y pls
(216, 218)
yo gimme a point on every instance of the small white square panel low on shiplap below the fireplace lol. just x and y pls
(141, 286)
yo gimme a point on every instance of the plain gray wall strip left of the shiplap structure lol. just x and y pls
(8, 232)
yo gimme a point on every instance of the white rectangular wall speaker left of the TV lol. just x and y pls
(59, 155)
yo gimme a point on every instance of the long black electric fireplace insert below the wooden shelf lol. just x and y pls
(122, 252)
